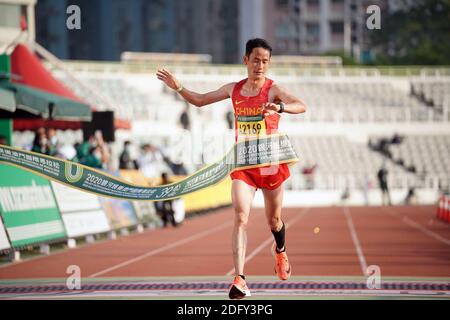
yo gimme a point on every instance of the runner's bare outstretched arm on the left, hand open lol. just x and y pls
(197, 99)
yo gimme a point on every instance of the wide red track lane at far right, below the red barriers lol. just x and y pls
(398, 248)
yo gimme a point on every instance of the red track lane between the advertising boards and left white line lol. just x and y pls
(100, 256)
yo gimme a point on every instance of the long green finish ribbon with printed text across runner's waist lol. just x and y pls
(252, 153)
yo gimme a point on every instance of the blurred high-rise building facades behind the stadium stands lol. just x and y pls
(219, 28)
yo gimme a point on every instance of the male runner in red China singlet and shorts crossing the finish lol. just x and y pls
(253, 96)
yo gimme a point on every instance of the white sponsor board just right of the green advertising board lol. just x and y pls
(81, 211)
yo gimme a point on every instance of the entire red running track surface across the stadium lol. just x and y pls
(202, 247)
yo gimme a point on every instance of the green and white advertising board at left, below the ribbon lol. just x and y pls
(28, 208)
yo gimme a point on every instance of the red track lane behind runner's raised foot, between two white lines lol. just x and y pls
(329, 252)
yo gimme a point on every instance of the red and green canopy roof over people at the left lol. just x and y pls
(34, 91)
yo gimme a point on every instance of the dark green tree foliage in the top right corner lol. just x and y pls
(417, 34)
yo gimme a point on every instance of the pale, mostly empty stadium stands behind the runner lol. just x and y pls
(362, 98)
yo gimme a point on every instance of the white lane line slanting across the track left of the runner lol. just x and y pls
(162, 249)
